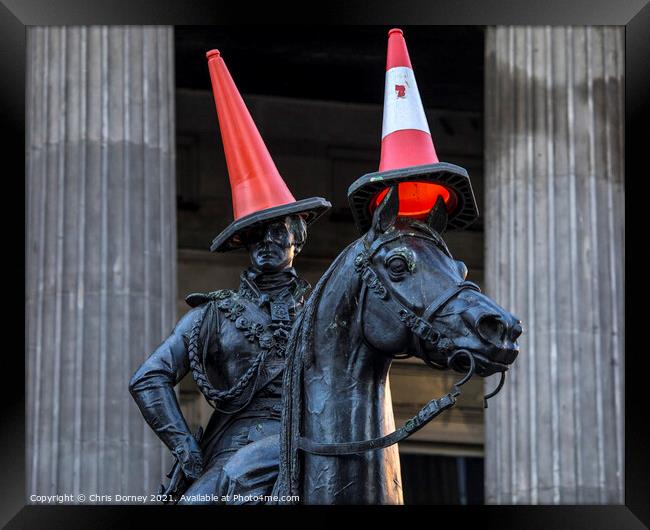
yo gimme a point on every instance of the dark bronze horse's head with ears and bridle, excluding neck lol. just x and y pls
(415, 299)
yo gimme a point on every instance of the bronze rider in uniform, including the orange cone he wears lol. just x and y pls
(233, 342)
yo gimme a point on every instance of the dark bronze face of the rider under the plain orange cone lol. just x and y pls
(272, 247)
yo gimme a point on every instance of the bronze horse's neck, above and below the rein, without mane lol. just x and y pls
(345, 396)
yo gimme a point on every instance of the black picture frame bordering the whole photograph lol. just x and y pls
(15, 15)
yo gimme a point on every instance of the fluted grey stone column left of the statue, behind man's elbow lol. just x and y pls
(100, 251)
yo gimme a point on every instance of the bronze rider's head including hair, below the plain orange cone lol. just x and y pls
(274, 245)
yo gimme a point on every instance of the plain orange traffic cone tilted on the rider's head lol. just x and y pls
(259, 194)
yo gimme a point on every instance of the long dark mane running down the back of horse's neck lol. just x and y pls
(299, 353)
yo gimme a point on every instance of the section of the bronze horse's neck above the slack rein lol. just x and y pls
(345, 378)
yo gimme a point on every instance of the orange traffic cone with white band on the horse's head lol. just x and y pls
(408, 157)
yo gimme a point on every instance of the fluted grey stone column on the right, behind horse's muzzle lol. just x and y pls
(555, 257)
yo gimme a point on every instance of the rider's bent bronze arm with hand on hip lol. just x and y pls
(152, 388)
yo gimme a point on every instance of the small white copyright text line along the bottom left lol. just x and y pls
(95, 498)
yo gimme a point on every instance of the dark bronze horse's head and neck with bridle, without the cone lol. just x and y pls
(395, 292)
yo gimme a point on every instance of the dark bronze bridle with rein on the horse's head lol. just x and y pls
(421, 328)
